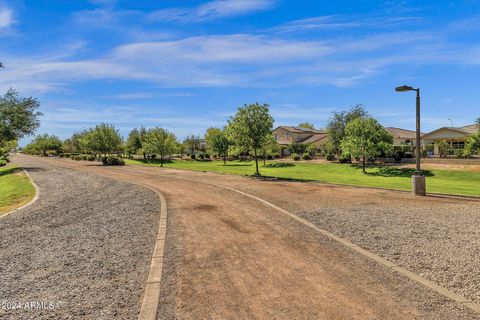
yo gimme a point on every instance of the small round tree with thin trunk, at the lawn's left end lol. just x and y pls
(160, 141)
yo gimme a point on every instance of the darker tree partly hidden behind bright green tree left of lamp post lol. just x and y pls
(338, 122)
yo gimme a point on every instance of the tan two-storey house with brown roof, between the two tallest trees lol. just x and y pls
(287, 135)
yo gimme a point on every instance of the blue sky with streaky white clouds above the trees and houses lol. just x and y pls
(188, 65)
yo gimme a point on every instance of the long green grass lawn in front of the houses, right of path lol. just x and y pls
(465, 183)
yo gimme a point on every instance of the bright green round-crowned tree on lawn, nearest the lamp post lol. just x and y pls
(365, 139)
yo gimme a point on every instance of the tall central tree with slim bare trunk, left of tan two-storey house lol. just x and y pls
(250, 127)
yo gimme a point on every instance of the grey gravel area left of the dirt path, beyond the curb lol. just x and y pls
(82, 251)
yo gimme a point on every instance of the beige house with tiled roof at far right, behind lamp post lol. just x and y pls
(455, 136)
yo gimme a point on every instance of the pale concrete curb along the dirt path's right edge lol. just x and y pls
(475, 307)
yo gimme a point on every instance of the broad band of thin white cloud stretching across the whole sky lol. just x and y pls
(239, 60)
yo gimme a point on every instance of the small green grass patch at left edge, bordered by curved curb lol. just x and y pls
(15, 188)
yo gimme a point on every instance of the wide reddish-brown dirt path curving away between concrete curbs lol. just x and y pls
(231, 257)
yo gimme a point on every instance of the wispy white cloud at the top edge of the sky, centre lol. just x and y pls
(211, 10)
